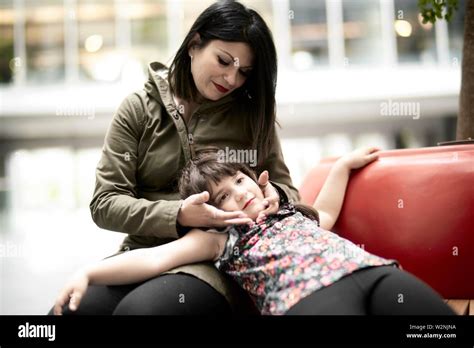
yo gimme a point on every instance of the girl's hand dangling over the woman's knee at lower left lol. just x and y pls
(72, 293)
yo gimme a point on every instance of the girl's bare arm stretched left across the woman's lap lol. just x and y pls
(141, 264)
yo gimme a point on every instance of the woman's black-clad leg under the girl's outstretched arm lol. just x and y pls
(169, 294)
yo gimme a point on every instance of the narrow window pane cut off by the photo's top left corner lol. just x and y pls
(6, 43)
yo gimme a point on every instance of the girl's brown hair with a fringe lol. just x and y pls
(197, 175)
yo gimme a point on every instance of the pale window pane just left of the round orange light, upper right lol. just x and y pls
(362, 31)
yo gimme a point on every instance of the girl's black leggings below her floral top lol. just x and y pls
(384, 290)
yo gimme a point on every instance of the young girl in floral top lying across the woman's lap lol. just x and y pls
(288, 262)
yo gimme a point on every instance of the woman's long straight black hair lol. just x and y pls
(233, 22)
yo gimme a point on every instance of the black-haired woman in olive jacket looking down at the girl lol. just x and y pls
(218, 93)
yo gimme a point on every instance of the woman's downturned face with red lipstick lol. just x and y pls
(220, 67)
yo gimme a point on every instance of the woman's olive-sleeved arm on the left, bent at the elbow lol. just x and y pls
(115, 204)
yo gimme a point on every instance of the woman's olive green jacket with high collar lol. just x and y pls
(145, 147)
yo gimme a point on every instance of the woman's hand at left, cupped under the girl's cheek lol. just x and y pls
(196, 213)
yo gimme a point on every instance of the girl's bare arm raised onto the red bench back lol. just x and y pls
(330, 199)
